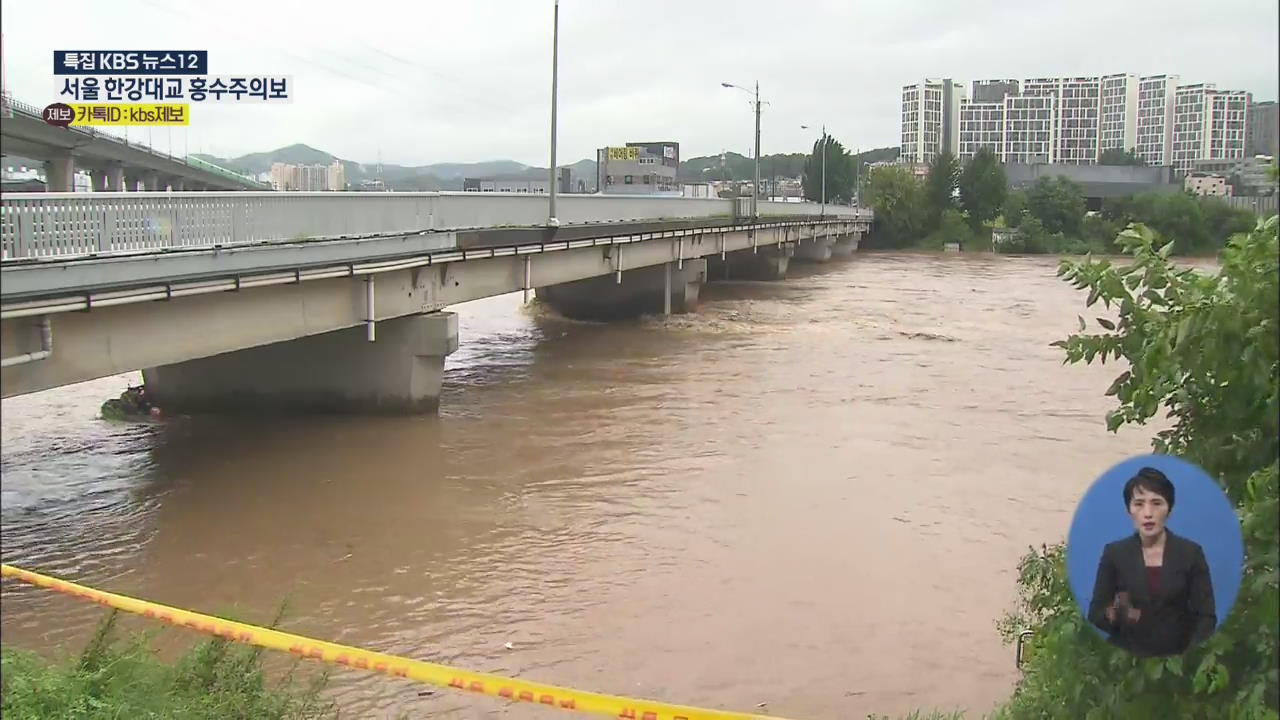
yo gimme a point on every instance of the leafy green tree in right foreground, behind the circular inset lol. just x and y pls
(1203, 350)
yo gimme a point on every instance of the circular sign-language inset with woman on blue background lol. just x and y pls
(1155, 555)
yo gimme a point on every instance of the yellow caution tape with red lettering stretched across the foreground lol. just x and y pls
(429, 673)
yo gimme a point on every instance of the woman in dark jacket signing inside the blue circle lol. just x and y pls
(1154, 595)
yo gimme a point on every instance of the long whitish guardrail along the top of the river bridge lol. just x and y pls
(71, 225)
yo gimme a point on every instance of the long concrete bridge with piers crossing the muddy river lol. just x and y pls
(336, 302)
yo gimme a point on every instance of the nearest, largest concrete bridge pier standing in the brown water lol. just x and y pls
(337, 372)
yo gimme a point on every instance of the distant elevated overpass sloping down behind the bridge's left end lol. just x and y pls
(112, 162)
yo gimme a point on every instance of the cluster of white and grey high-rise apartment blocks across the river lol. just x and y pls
(1075, 121)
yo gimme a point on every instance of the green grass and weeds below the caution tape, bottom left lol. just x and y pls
(124, 678)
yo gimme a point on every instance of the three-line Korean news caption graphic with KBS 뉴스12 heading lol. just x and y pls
(149, 86)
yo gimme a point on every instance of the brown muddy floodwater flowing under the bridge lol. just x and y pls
(811, 495)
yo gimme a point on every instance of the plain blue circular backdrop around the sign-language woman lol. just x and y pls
(1203, 513)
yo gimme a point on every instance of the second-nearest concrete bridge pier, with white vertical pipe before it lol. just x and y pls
(641, 291)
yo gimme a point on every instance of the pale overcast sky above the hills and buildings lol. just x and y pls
(467, 81)
